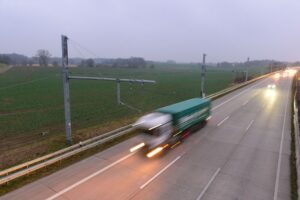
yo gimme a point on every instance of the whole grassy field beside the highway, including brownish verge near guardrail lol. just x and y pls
(31, 102)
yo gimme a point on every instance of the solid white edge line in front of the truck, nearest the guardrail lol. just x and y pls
(89, 177)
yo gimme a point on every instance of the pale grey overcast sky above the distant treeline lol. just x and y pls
(181, 30)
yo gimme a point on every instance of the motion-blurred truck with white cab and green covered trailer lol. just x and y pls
(168, 126)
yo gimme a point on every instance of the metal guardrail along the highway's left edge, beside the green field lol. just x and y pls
(38, 163)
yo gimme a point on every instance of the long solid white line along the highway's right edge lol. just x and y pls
(280, 150)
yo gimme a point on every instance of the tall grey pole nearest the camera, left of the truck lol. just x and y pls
(64, 45)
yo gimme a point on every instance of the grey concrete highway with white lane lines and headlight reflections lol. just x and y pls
(242, 153)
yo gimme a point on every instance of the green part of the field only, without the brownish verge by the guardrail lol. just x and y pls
(32, 98)
